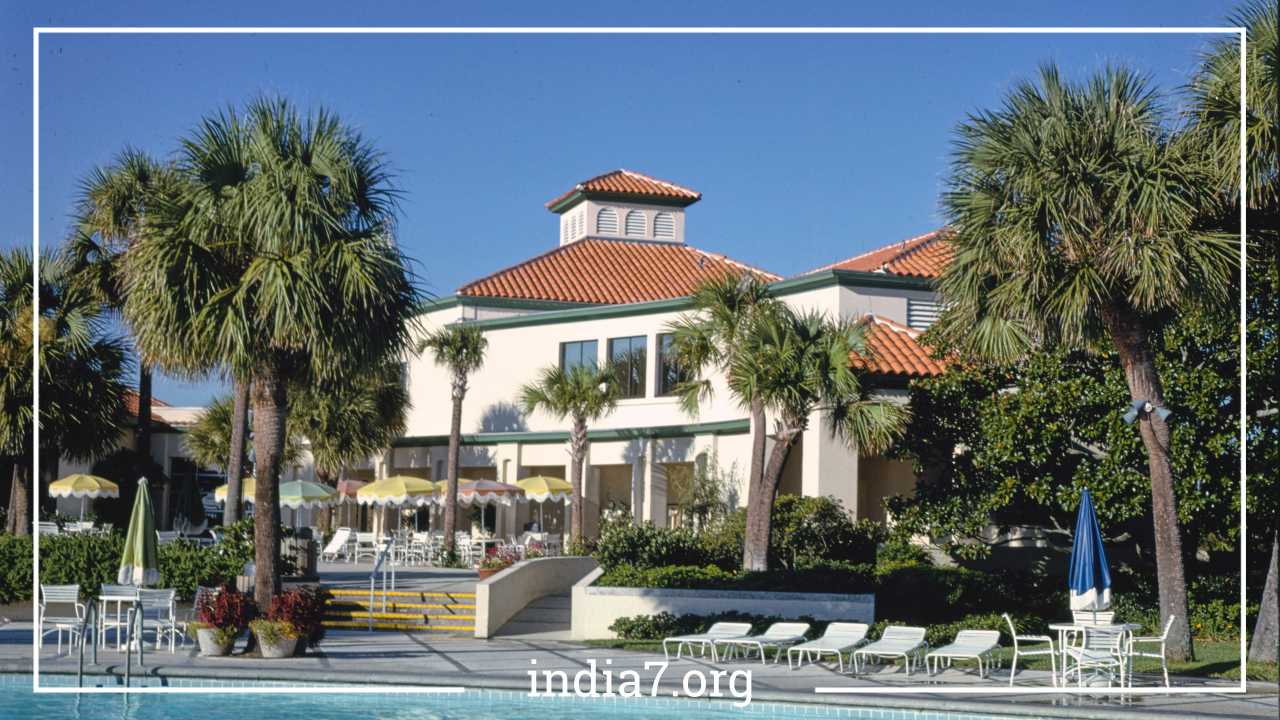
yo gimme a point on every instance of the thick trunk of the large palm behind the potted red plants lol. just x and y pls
(271, 409)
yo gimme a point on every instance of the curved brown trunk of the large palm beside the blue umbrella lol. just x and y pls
(1140, 368)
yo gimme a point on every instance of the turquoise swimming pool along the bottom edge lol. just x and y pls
(330, 704)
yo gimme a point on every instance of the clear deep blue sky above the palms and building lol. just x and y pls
(807, 149)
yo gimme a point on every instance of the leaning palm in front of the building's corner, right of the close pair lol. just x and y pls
(798, 364)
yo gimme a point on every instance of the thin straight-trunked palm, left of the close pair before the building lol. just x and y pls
(710, 340)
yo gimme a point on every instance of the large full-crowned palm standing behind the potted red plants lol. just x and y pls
(276, 261)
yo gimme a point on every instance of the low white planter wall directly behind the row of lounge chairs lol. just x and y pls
(596, 609)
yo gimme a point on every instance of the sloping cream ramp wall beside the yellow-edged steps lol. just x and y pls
(502, 596)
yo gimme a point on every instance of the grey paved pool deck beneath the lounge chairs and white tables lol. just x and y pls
(418, 660)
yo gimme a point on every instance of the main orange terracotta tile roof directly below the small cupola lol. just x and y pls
(609, 272)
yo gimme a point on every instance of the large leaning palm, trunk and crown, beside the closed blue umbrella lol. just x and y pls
(1076, 225)
